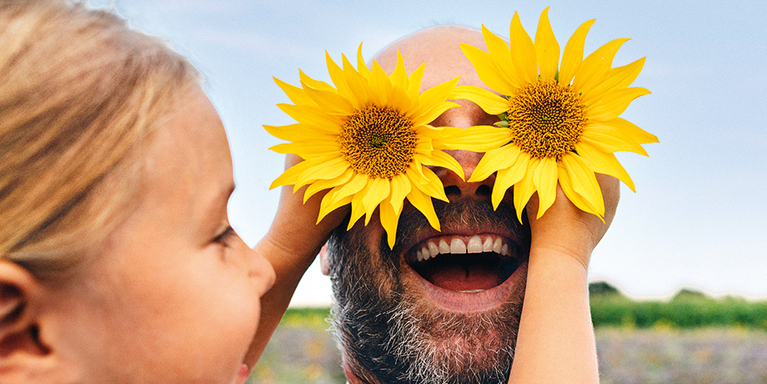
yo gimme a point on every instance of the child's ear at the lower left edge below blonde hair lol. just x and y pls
(23, 355)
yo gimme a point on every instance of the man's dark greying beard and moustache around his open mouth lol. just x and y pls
(390, 335)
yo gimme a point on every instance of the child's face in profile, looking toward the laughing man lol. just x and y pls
(173, 294)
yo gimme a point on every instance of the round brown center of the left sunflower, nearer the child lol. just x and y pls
(378, 142)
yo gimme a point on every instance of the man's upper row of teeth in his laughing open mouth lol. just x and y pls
(434, 247)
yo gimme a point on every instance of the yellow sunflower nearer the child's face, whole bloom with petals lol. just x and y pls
(368, 140)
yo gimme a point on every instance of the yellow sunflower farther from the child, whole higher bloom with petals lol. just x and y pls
(559, 121)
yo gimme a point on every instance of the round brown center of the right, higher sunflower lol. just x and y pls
(546, 119)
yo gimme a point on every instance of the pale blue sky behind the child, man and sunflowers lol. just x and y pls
(697, 219)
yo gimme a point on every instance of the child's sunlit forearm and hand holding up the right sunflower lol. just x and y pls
(555, 343)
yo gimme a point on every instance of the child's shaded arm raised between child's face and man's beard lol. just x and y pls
(291, 245)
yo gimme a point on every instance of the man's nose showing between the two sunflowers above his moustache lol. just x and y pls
(455, 187)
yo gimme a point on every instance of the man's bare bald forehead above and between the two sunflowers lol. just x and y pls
(439, 48)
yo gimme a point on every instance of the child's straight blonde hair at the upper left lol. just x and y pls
(79, 94)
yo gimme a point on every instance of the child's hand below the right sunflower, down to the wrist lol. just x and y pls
(566, 229)
